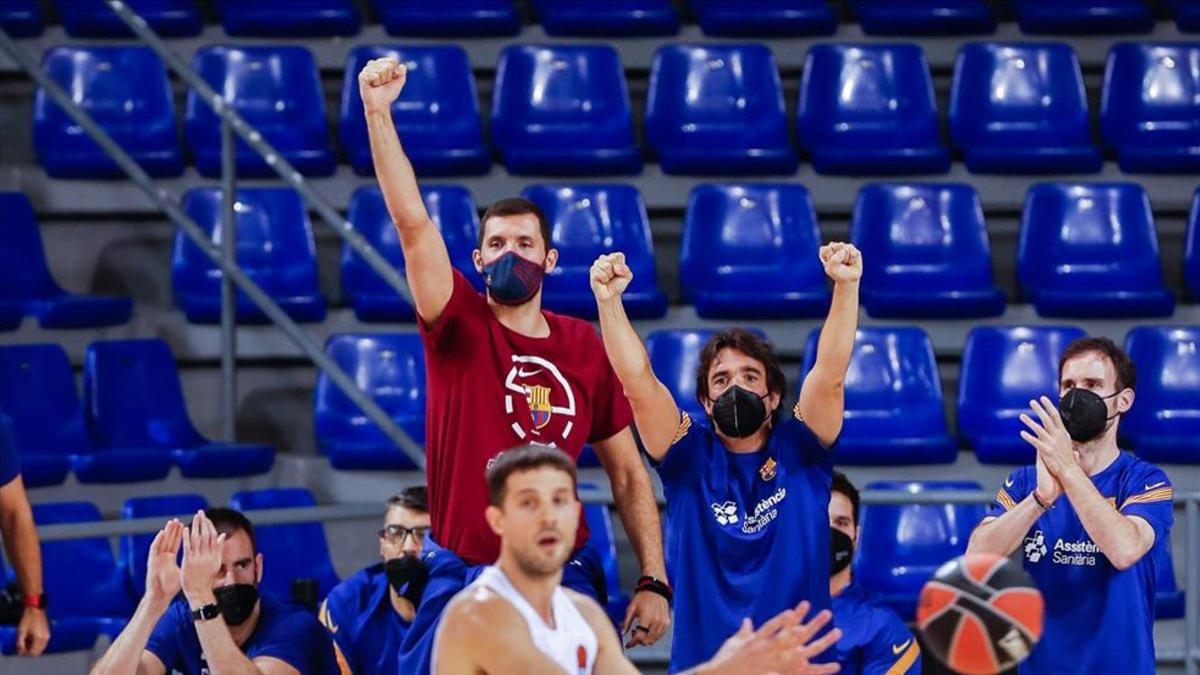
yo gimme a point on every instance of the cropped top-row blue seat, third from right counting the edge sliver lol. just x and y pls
(925, 17)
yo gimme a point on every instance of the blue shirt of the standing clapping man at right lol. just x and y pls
(1097, 619)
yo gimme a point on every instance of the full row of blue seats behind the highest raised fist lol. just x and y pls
(715, 110)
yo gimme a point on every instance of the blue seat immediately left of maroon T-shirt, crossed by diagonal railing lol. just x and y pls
(391, 369)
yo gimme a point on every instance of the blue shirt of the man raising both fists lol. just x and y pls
(748, 533)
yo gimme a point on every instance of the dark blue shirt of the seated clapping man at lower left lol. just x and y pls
(284, 632)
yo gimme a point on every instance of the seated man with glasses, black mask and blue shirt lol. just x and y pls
(370, 613)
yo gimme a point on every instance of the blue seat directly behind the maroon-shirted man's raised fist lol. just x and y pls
(436, 116)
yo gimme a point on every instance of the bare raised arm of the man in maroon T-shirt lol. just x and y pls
(427, 261)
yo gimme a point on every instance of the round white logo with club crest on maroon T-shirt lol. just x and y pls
(549, 413)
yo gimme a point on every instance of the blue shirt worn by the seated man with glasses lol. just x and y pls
(367, 630)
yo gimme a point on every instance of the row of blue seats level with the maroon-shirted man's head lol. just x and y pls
(749, 252)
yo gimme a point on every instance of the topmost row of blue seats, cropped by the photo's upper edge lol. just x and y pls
(471, 19)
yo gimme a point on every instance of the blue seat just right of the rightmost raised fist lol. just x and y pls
(925, 252)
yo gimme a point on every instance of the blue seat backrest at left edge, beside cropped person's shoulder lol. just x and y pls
(38, 390)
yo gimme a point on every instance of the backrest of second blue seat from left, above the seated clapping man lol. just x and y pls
(133, 397)
